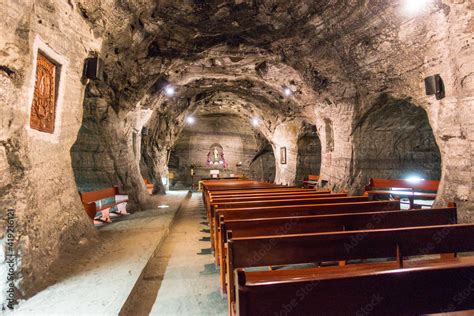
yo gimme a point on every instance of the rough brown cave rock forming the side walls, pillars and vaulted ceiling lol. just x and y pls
(355, 69)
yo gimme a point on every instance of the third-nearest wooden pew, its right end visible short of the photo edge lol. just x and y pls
(328, 223)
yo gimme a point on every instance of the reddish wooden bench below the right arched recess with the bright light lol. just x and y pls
(421, 190)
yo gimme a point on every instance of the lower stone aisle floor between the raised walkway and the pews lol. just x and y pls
(181, 279)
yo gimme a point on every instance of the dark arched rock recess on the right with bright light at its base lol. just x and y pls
(394, 140)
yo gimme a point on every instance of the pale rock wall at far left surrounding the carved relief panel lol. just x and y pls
(37, 178)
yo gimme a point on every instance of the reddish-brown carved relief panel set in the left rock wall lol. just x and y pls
(43, 108)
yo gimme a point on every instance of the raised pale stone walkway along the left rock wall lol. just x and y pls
(99, 277)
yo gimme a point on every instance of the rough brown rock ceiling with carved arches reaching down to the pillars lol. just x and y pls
(338, 57)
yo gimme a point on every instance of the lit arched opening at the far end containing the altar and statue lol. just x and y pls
(220, 145)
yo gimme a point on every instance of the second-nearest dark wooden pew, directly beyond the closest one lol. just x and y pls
(348, 245)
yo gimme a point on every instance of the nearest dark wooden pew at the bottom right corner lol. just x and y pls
(433, 288)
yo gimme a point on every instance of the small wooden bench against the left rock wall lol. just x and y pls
(92, 202)
